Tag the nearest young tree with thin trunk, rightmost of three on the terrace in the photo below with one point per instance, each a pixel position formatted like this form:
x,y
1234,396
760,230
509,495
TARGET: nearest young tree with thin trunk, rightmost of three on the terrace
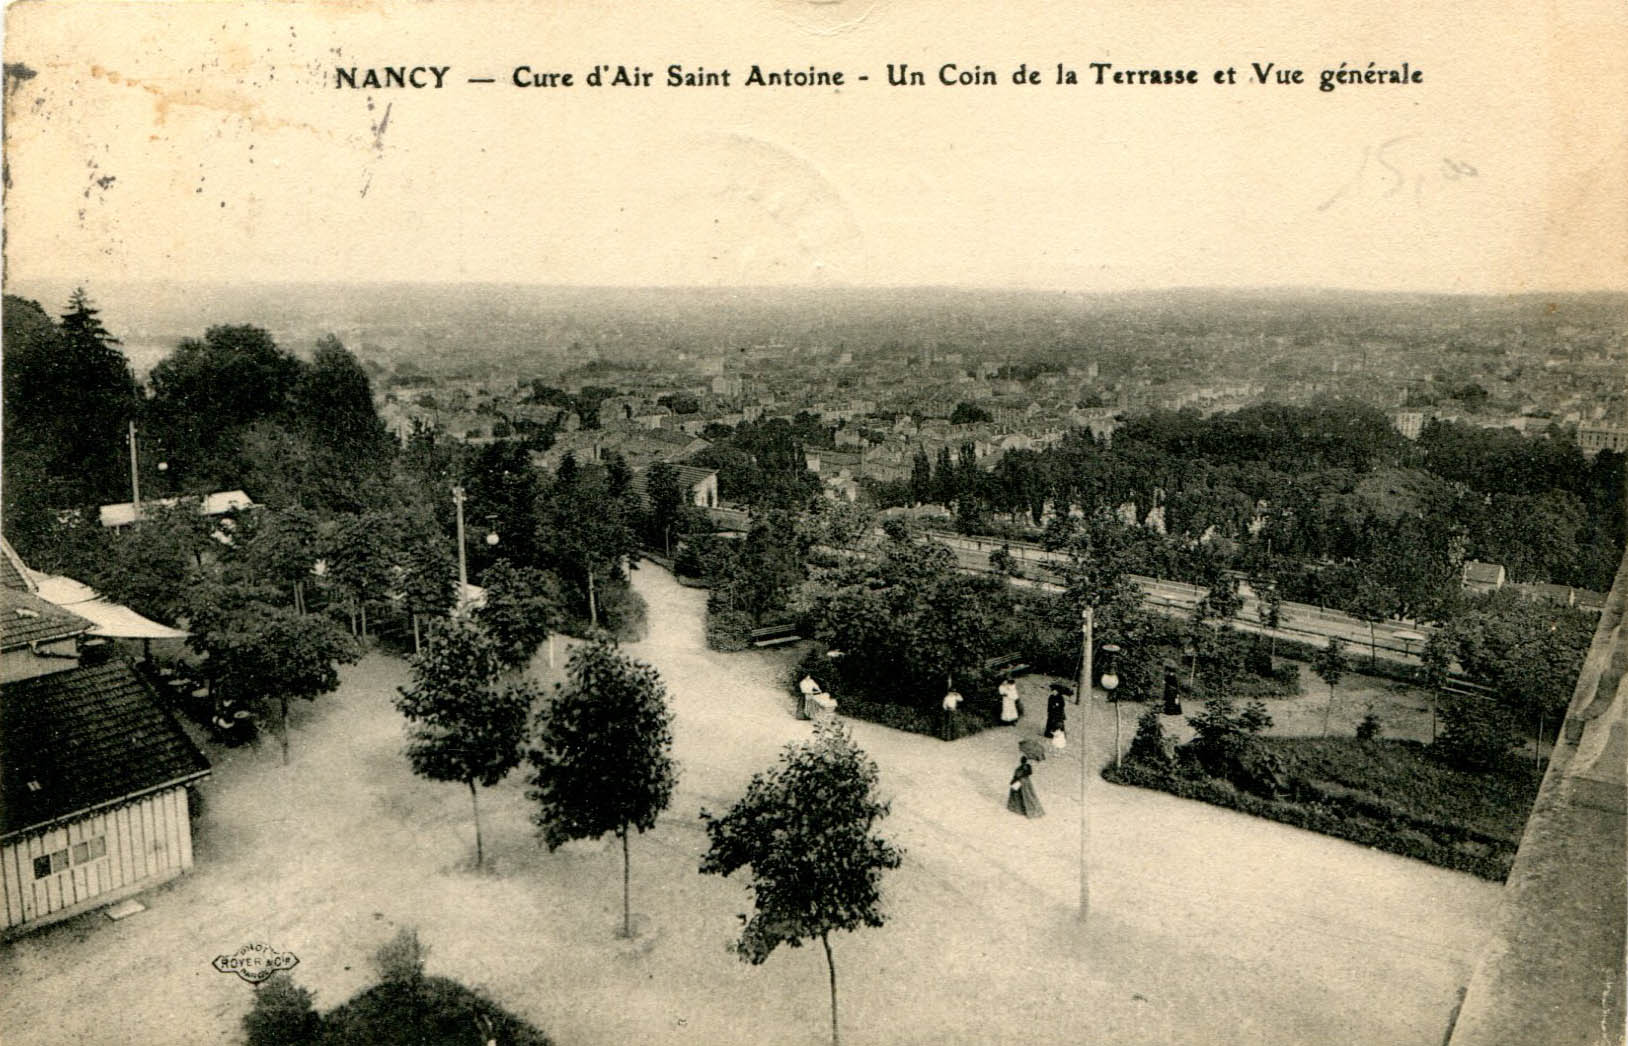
x,y
805,830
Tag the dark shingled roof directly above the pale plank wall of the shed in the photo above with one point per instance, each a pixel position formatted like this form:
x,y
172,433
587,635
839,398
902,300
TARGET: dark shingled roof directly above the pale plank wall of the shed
x,y
84,739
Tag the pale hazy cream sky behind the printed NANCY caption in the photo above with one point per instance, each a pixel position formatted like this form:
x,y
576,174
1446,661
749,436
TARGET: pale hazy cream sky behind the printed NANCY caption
x,y
209,142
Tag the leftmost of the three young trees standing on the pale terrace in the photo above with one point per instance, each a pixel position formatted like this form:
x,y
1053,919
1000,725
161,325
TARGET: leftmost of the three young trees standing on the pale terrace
x,y
465,723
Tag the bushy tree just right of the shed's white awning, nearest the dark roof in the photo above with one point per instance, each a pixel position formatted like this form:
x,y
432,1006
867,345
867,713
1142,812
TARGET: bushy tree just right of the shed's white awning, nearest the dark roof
x,y
260,652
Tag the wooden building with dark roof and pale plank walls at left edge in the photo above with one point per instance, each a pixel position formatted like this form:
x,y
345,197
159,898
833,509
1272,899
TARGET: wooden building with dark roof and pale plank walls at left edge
x,y
94,772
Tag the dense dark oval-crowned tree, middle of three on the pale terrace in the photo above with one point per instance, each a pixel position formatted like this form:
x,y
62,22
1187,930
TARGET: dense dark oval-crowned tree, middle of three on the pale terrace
x,y
603,759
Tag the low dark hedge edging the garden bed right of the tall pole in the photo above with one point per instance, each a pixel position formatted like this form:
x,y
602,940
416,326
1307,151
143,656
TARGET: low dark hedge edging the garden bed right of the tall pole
x,y
1326,819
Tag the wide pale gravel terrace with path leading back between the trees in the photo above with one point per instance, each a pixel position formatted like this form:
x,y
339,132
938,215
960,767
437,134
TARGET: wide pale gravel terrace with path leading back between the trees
x,y
1206,926
